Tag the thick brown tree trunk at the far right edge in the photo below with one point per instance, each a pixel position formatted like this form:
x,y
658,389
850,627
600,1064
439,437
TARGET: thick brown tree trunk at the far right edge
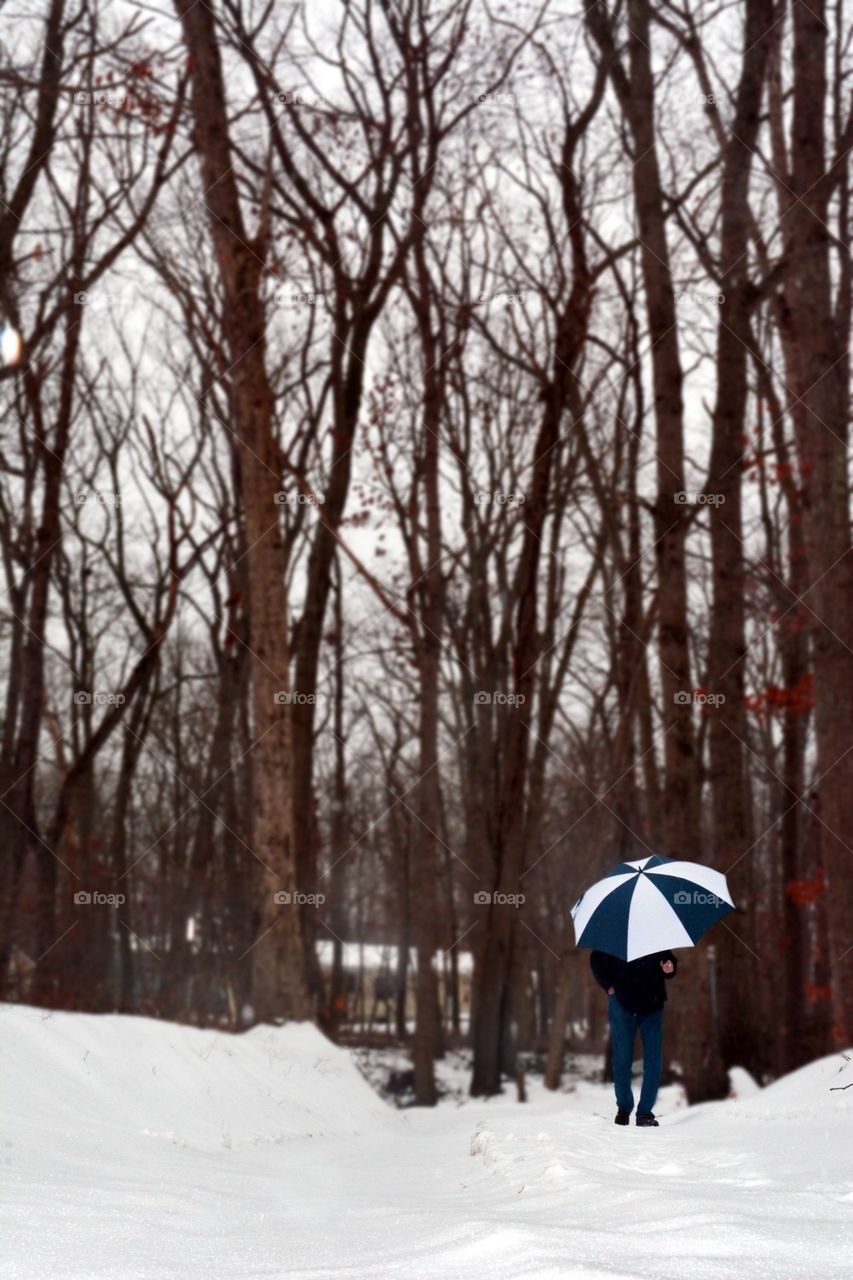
x,y
822,339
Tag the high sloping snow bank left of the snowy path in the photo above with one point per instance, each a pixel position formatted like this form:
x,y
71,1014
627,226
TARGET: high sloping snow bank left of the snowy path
x,y
89,1076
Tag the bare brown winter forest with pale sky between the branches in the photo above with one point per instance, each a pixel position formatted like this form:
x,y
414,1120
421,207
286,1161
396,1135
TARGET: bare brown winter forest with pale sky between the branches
x,y
425,486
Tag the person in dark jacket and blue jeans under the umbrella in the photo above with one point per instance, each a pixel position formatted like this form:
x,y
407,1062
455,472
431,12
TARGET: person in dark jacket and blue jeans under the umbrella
x,y
637,991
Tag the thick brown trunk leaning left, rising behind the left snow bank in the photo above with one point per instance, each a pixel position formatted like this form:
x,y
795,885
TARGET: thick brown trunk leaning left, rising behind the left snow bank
x,y
277,958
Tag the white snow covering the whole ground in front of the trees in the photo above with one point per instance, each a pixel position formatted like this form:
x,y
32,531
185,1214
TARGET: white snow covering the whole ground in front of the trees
x,y
135,1149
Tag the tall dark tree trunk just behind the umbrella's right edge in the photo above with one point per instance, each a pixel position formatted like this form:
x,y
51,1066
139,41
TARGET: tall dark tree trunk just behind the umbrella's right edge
x,y
732,826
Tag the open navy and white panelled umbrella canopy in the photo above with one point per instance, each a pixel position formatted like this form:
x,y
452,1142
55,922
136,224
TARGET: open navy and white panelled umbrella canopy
x,y
651,906
